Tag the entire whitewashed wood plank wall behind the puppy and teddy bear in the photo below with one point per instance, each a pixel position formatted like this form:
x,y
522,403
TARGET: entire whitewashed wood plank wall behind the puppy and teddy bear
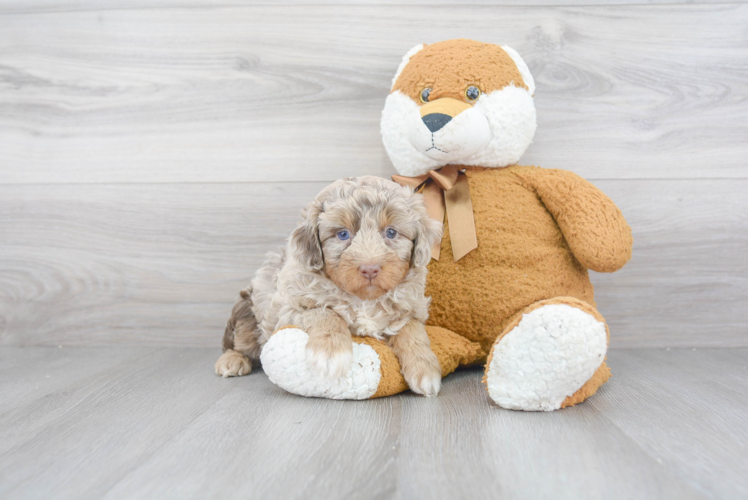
x,y
150,157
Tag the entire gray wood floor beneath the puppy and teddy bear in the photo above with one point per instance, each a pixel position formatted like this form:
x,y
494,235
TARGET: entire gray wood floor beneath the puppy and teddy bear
x,y
137,422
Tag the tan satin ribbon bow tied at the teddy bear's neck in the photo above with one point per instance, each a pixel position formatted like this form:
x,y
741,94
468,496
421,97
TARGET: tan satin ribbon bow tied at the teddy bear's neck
x,y
447,188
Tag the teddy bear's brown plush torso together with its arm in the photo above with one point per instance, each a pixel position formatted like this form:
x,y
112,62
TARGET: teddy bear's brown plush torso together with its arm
x,y
531,223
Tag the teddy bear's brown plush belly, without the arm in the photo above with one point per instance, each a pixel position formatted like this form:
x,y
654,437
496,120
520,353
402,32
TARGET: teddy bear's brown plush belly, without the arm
x,y
522,257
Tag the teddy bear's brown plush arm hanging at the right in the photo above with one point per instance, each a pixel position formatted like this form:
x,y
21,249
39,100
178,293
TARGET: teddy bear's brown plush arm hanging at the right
x,y
592,224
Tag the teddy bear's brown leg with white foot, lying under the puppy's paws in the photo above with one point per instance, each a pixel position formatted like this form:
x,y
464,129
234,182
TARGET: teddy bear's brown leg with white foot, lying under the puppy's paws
x,y
375,370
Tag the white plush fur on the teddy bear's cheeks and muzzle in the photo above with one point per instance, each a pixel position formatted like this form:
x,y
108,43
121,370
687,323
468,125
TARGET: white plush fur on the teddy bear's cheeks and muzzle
x,y
502,123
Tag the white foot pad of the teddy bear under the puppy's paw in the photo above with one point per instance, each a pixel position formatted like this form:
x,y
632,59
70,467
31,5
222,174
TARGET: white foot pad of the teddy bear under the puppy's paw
x,y
284,361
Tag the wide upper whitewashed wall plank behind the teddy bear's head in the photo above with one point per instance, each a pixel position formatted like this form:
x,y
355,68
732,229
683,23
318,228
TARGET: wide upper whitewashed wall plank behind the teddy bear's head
x,y
262,93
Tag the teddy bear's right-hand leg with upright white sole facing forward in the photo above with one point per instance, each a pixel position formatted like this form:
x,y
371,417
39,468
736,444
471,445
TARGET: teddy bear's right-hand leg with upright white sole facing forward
x,y
550,355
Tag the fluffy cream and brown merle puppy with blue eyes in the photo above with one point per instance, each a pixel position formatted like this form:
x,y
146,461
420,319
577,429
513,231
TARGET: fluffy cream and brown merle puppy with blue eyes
x,y
356,265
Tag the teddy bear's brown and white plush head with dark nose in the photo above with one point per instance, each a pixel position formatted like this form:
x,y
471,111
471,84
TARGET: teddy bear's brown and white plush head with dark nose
x,y
458,102
